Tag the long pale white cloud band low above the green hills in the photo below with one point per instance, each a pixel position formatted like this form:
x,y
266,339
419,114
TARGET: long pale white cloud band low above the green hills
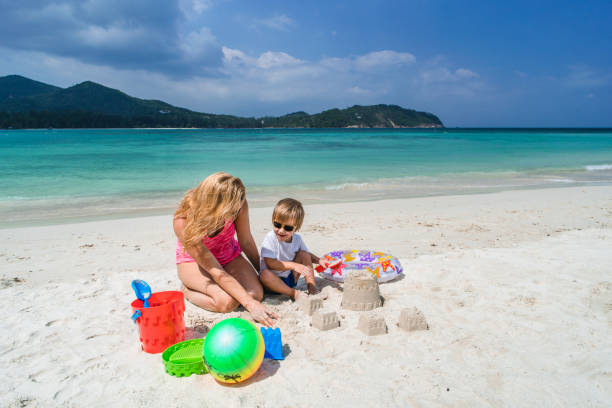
x,y
270,83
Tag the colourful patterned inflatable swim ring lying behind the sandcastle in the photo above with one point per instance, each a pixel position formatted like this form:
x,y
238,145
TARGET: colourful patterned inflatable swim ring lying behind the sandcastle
x,y
384,266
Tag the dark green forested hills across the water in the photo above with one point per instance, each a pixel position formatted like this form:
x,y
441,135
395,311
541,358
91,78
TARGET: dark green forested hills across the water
x,y
25,103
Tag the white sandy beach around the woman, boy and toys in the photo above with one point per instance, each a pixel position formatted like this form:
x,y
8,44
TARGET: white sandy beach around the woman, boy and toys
x,y
516,288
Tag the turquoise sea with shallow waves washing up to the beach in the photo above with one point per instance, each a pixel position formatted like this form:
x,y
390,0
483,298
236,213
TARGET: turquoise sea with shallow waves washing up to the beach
x,y
54,176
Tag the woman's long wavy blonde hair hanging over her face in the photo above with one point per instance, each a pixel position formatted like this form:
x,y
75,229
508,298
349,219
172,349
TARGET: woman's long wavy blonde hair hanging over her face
x,y
218,197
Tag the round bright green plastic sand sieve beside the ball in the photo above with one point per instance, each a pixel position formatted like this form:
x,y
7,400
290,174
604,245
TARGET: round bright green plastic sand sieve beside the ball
x,y
184,358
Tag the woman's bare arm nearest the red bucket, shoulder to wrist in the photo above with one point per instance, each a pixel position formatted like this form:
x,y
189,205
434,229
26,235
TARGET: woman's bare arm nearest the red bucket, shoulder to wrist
x,y
207,260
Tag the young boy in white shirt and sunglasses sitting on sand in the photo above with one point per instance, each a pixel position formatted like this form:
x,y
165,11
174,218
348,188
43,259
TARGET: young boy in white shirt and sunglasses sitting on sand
x,y
284,256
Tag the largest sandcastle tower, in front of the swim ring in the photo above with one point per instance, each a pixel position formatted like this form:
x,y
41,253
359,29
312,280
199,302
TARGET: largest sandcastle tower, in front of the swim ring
x,y
361,291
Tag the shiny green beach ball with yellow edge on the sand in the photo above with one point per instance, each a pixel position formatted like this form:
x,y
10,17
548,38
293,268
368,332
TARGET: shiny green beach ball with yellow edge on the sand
x,y
233,350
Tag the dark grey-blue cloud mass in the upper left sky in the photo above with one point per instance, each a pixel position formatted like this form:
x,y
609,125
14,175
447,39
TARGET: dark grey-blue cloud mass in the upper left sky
x,y
145,34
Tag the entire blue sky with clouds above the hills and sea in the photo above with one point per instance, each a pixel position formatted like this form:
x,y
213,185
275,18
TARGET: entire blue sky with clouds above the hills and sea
x,y
473,63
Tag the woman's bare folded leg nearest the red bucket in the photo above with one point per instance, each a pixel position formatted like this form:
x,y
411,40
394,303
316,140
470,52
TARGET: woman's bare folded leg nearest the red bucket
x,y
201,290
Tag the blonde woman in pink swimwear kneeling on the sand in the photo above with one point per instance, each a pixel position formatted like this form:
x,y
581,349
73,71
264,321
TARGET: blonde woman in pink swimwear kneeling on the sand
x,y
210,265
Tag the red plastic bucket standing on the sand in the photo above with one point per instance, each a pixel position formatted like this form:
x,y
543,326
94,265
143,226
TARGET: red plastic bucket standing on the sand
x,y
162,324
